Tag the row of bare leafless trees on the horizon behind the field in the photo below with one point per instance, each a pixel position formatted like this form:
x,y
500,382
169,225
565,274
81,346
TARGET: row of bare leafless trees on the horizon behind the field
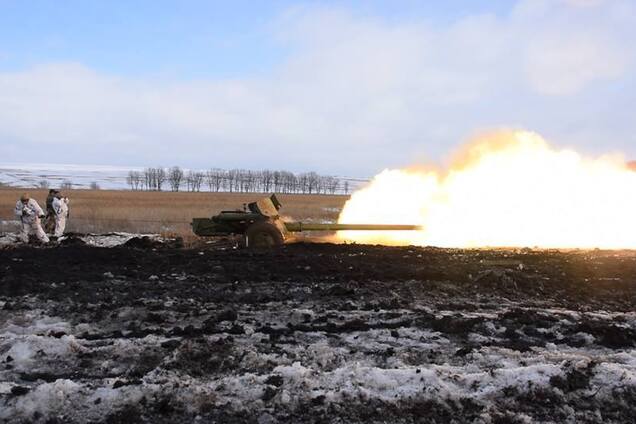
x,y
235,180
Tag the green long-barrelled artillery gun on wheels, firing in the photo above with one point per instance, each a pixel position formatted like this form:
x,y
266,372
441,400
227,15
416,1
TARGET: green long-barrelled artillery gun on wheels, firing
x,y
261,225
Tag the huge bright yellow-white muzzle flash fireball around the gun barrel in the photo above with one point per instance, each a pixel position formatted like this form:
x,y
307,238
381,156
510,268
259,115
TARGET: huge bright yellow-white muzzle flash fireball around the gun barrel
x,y
505,190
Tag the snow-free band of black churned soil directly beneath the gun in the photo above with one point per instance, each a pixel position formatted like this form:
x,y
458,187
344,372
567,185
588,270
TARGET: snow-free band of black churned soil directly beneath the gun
x,y
574,279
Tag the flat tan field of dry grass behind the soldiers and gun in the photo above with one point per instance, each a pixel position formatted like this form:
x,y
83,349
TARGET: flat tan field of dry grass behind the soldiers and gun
x,y
100,211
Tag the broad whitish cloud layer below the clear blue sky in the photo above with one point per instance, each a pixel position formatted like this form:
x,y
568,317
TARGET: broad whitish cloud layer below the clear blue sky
x,y
357,94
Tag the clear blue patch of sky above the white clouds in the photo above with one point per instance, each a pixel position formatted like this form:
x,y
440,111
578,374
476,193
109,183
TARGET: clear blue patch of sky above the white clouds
x,y
184,39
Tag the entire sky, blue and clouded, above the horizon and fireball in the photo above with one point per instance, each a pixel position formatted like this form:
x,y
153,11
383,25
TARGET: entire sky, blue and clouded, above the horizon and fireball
x,y
285,84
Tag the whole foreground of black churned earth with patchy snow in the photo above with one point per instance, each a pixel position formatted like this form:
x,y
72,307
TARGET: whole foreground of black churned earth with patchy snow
x,y
316,333
